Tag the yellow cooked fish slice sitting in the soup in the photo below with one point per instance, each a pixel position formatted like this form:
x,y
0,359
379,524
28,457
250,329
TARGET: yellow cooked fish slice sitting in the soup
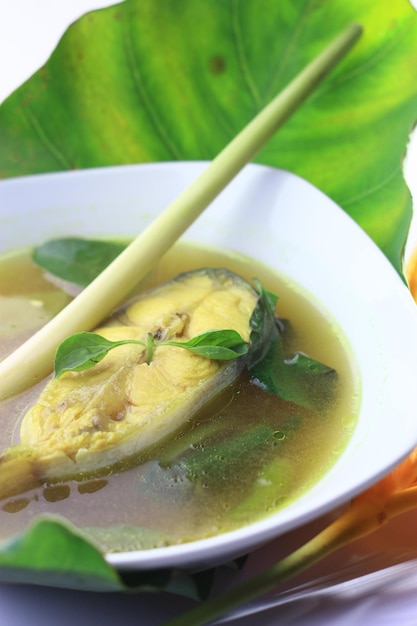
x,y
87,422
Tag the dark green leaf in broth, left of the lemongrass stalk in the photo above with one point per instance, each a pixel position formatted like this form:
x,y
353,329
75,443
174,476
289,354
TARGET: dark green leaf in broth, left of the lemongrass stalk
x,y
76,260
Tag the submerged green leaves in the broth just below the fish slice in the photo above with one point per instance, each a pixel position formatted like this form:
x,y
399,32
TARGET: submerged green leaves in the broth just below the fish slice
x,y
211,456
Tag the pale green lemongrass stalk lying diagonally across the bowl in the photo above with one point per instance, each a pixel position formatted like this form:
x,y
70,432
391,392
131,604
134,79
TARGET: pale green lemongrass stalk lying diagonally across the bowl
x,y
34,359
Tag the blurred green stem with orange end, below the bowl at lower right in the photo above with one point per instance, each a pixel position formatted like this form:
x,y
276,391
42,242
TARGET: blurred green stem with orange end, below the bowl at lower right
x,y
362,518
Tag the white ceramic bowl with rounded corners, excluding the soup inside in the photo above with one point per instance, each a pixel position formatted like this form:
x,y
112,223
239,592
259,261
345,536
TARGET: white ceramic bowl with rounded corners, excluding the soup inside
x,y
286,223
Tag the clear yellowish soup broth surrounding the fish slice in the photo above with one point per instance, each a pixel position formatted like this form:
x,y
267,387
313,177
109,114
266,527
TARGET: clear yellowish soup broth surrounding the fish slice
x,y
244,456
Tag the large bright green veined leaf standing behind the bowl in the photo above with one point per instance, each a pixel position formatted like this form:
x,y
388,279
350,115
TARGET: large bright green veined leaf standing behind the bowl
x,y
166,80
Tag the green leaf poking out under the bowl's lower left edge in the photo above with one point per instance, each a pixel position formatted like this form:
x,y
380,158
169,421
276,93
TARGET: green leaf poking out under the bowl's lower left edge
x,y
53,553
